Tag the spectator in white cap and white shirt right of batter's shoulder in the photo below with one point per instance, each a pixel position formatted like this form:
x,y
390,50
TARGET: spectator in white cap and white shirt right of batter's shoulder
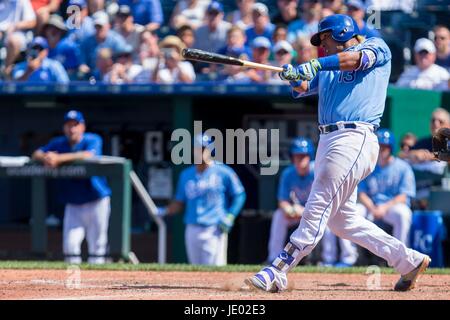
x,y
425,74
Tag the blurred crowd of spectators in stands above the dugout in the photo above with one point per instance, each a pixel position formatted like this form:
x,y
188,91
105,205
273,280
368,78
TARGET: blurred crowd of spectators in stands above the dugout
x,y
138,41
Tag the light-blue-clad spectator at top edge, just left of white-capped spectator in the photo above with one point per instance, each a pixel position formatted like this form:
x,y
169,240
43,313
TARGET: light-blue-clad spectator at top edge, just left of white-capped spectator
x,y
80,24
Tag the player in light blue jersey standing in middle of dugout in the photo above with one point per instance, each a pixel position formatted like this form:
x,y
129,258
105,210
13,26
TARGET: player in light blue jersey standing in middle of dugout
x,y
211,196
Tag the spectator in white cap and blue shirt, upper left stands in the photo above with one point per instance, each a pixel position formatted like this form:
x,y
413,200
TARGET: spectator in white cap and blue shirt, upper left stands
x,y
104,37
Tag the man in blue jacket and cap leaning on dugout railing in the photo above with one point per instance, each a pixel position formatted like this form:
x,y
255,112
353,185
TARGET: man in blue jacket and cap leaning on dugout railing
x,y
87,201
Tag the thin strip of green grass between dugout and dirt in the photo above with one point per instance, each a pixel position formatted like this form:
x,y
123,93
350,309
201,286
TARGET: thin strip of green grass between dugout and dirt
x,y
41,265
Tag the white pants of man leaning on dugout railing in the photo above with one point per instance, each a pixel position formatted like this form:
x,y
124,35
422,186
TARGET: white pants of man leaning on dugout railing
x,y
88,220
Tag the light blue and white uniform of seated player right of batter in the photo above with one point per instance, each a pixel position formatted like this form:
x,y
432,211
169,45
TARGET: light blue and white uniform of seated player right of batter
x,y
385,183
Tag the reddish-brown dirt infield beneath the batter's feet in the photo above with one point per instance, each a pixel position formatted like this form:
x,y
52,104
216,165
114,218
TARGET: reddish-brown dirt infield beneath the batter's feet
x,y
138,285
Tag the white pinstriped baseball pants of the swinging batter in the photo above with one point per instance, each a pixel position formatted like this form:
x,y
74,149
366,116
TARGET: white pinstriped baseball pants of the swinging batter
x,y
344,158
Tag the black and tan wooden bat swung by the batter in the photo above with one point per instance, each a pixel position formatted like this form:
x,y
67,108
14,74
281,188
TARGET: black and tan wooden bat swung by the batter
x,y
205,56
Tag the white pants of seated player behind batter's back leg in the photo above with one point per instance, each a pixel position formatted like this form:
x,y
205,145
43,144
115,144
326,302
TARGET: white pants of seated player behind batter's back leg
x,y
399,216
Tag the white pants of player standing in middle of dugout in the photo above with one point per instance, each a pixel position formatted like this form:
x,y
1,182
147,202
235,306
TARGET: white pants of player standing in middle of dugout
x,y
204,245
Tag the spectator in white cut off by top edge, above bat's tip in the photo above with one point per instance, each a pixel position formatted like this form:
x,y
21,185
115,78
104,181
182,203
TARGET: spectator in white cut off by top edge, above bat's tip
x,y
189,12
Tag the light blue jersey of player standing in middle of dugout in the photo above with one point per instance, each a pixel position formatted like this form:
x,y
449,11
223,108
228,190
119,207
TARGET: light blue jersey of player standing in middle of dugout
x,y
207,195
